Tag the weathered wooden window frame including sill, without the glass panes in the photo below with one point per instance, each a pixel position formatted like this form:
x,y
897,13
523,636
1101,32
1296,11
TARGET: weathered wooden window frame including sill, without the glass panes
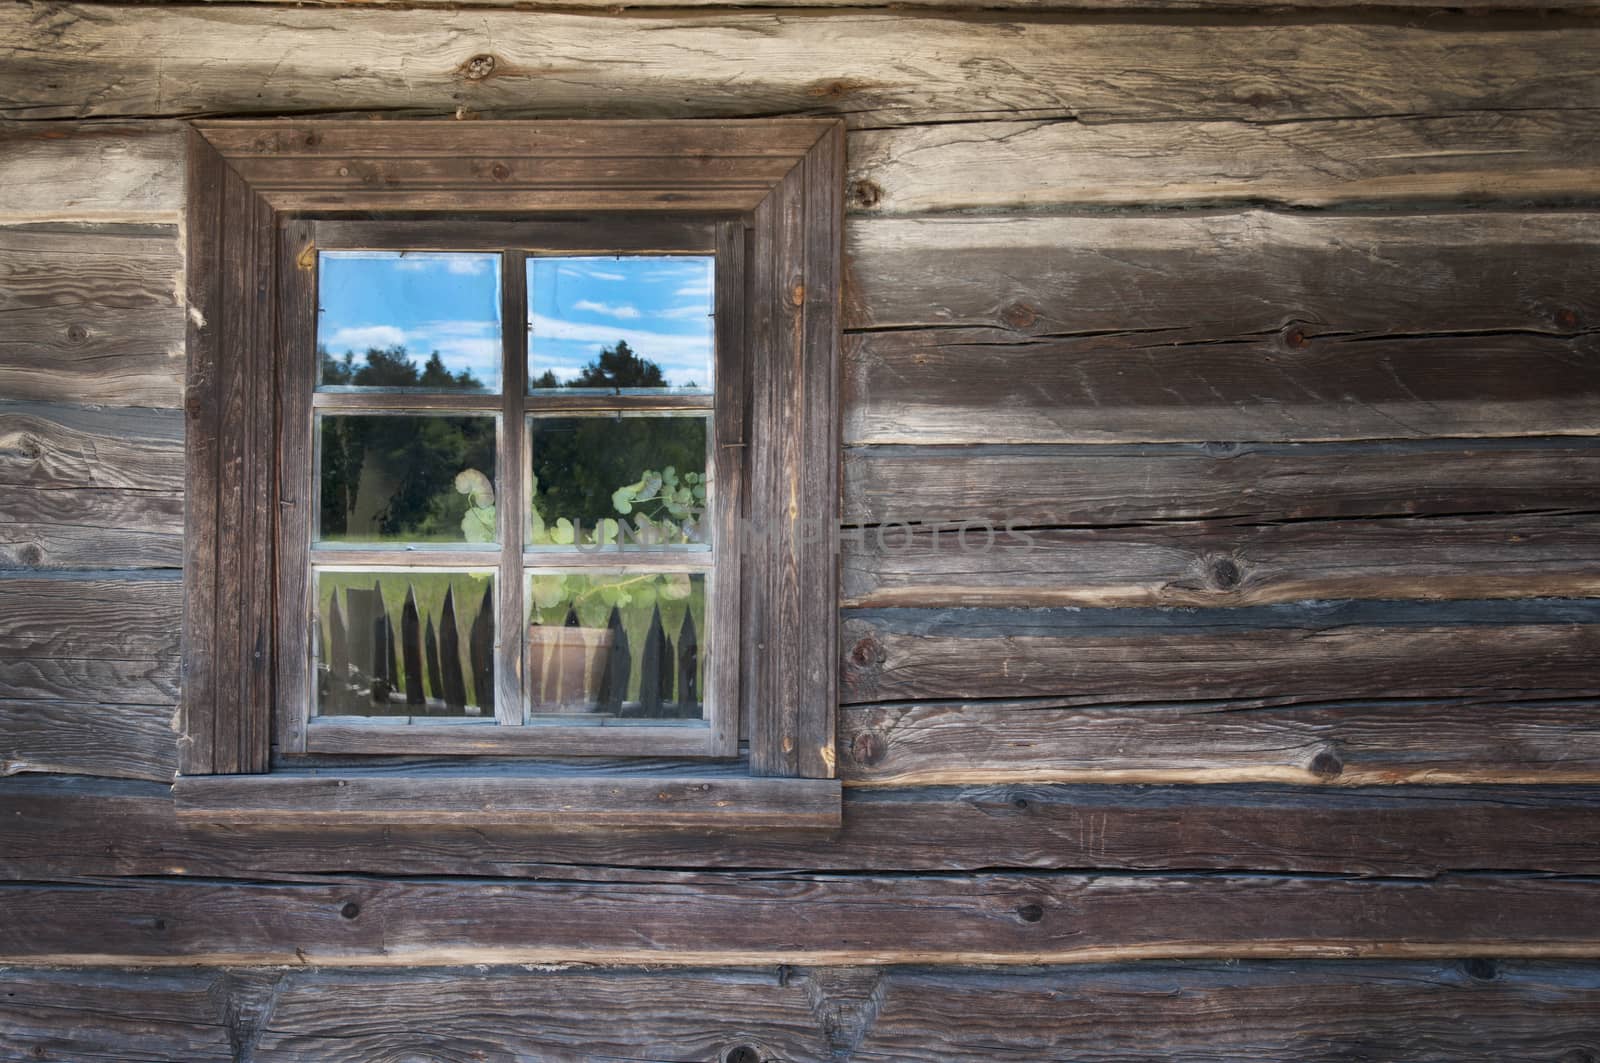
x,y
258,195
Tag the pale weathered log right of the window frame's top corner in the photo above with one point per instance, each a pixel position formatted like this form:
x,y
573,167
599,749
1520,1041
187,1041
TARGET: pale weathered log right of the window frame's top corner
x,y
1007,166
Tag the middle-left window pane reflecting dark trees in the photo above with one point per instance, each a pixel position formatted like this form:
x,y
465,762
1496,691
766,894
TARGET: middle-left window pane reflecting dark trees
x,y
404,478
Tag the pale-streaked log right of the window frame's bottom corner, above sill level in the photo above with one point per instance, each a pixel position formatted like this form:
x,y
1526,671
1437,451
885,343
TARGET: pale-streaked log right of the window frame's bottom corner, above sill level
x,y
1350,745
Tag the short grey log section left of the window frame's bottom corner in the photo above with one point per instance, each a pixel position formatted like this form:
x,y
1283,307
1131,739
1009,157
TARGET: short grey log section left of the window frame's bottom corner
x,y
54,734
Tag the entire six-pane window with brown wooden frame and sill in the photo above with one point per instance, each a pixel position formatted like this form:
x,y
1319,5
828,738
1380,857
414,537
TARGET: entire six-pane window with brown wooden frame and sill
x,y
513,443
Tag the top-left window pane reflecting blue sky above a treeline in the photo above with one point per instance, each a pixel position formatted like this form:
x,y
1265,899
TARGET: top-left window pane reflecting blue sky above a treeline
x,y
409,319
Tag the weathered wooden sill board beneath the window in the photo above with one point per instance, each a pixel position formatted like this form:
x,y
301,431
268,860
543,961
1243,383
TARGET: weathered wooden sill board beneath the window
x,y
558,803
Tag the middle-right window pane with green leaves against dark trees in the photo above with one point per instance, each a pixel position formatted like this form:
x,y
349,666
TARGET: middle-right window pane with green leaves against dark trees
x,y
618,483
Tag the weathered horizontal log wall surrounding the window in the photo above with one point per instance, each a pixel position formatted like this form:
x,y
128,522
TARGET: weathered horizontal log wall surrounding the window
x,y
1222,566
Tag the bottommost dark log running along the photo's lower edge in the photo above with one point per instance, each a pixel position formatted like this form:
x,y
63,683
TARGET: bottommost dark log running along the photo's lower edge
x,y
1262,1011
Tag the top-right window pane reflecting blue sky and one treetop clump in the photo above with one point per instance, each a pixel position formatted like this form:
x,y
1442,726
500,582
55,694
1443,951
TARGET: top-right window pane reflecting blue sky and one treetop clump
x,y
638,323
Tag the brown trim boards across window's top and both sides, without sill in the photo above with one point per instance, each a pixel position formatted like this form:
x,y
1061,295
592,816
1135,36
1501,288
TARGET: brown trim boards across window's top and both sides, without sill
x,y
249,183
